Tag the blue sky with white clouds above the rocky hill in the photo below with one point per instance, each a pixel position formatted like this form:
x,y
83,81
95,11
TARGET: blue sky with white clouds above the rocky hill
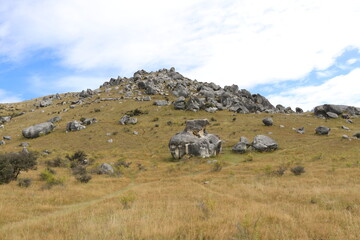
x,y
298,53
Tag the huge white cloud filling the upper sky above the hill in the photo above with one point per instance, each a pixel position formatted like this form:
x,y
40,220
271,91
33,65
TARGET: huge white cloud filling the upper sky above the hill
x,y
243,42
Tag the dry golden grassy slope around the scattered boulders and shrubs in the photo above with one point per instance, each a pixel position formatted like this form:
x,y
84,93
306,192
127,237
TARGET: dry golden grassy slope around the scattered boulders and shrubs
x,y
242,201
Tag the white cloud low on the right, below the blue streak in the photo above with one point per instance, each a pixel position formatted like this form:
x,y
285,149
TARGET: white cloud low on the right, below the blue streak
x,y
342,89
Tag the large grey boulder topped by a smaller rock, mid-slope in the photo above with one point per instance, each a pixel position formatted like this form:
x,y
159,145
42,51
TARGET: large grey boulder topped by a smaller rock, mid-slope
x,y
195,141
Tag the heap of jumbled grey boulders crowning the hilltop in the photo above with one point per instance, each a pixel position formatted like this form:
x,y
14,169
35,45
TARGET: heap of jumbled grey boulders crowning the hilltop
x,y
192,95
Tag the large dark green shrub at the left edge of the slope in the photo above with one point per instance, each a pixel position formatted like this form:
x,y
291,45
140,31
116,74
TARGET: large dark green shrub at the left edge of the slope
x,y
11,164
